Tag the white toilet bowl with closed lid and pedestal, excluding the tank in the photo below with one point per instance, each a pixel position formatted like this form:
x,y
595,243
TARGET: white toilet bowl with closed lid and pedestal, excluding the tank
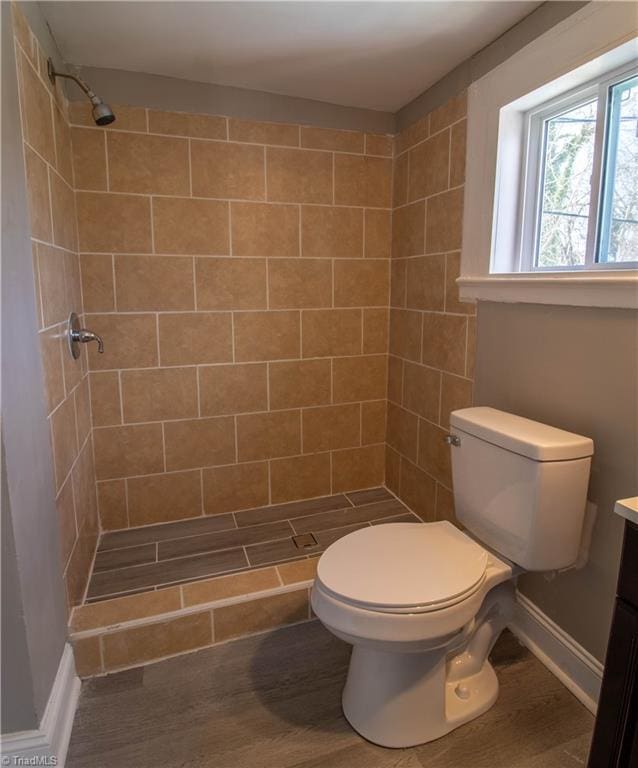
x,y
422,606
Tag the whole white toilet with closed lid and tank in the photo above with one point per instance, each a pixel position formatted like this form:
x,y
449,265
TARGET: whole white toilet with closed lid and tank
x,y
423,604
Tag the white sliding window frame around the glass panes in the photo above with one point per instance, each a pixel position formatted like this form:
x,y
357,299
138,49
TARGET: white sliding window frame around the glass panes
x,y
532,176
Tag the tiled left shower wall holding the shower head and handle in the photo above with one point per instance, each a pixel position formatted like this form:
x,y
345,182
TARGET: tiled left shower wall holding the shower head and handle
x,y
49,175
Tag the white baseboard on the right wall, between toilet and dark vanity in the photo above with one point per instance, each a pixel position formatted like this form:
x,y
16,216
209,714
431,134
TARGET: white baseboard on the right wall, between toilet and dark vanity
x,y
576,668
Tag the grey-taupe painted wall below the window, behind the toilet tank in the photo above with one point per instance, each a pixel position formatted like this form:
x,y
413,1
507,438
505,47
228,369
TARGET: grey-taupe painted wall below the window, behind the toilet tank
x,y
574,368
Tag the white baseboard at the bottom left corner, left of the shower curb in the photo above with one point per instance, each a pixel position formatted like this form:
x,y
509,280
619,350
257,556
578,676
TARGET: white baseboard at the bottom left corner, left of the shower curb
x,y
51,739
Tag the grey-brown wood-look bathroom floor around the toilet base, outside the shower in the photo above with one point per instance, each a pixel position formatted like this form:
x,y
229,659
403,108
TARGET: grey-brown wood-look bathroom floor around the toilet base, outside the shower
x,y
274,701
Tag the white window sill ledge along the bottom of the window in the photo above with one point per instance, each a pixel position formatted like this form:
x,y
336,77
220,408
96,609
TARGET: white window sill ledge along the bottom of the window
x,y
565,288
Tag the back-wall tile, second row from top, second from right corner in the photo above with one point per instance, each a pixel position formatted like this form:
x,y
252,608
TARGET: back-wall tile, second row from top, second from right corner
x,y
299,176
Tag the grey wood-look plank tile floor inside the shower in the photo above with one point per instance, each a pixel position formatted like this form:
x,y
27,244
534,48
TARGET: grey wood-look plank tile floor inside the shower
x,y
155,556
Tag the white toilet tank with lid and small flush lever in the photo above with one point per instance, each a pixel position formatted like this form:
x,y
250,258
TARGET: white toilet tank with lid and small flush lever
x,y
520,486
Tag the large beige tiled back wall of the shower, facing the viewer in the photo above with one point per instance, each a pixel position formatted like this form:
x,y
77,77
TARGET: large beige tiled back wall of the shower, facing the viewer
x,y
239,274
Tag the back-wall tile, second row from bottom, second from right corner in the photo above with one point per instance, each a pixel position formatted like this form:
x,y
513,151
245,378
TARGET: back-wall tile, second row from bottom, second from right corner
x,y
334,426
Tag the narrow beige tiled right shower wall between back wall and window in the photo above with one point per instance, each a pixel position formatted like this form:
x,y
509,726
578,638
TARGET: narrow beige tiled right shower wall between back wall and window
x,y
431,333
